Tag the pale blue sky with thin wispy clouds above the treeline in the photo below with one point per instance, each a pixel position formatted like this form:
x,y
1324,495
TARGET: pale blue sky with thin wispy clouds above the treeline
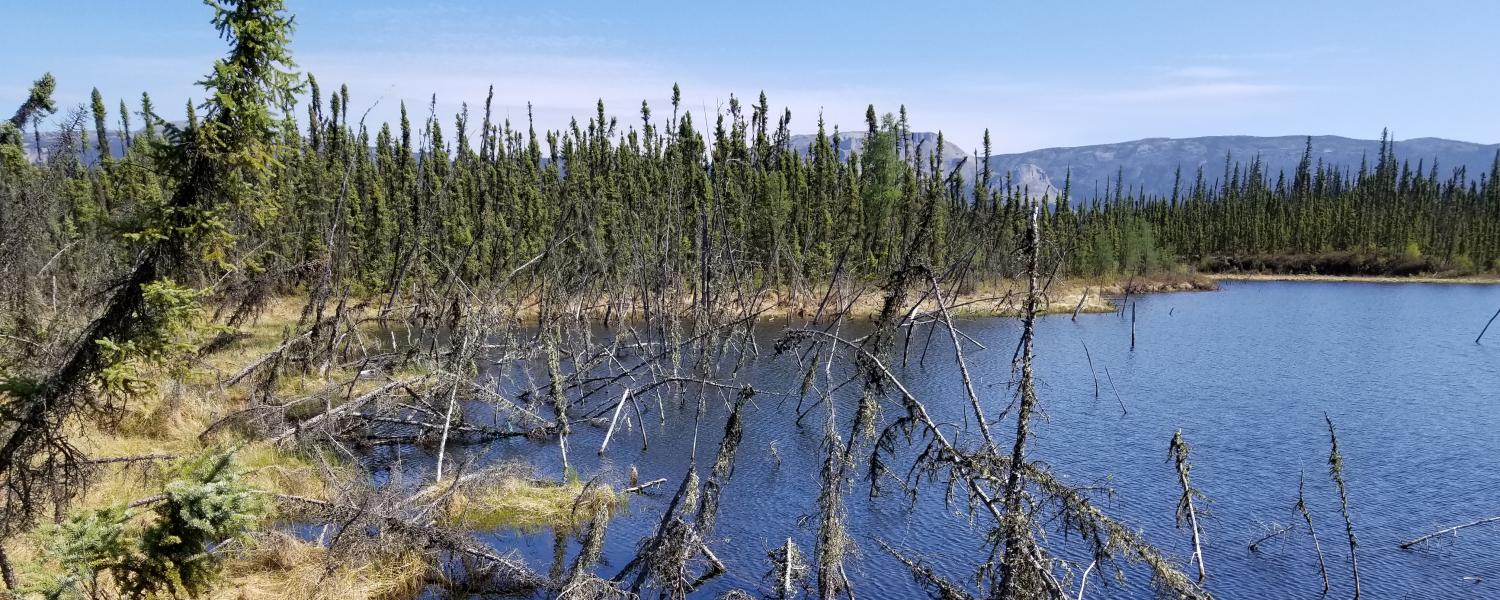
x,y
1037,74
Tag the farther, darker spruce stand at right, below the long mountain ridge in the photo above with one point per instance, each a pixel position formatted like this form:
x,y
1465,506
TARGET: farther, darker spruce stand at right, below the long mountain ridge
x,y
1390,218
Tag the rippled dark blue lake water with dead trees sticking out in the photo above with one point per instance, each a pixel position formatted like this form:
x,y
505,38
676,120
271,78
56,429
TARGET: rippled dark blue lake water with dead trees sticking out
x,y
1247,374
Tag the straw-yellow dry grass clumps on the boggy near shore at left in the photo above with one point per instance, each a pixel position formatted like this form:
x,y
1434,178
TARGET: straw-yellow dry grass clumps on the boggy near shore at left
x,y
188,413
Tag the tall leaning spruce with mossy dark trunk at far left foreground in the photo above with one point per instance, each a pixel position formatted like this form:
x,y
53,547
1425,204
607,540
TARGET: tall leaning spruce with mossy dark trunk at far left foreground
x,y
221,167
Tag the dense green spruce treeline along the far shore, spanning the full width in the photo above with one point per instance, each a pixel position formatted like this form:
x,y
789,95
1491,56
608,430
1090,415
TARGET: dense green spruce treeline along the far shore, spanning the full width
x,y
634,203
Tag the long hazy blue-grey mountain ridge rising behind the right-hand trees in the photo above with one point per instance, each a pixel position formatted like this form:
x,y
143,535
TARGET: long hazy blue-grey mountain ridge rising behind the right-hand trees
x,y
1151,164
